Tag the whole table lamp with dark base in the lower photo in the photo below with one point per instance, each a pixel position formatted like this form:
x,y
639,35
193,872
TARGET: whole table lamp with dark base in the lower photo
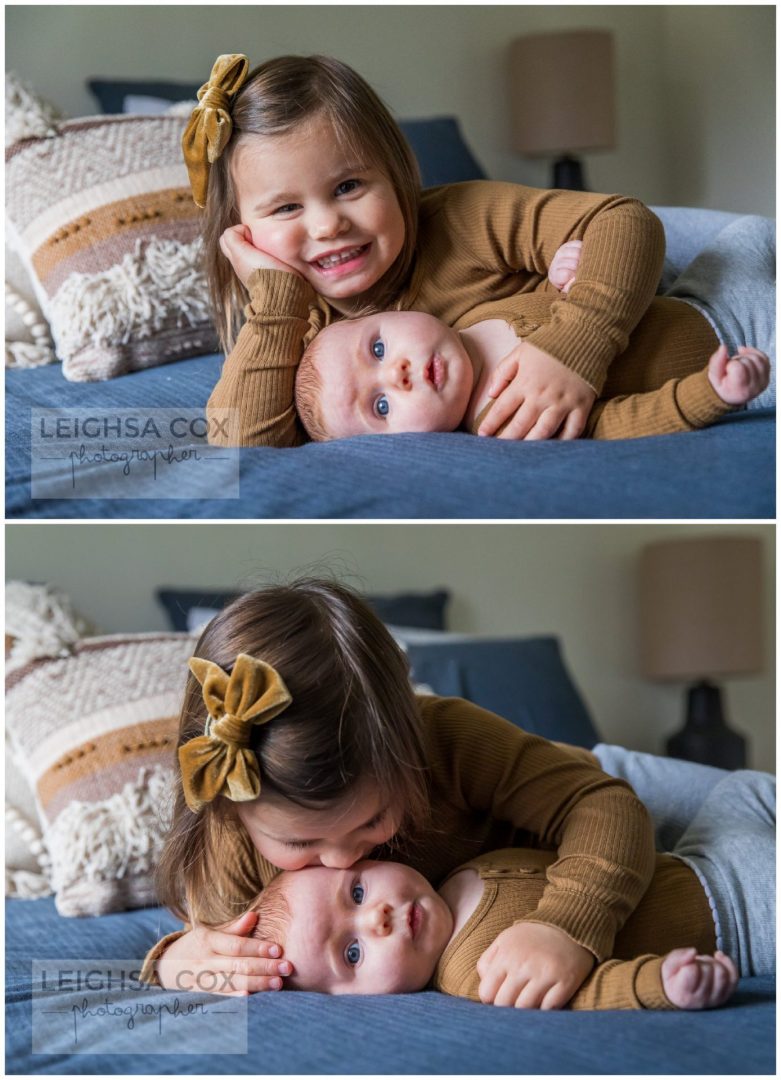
x,y
701,620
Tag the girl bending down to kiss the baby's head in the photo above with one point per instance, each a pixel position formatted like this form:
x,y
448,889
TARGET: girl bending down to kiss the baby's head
x,y
302,744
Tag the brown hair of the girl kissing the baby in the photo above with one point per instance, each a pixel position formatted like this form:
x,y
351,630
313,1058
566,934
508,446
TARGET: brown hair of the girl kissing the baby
x,y
354,718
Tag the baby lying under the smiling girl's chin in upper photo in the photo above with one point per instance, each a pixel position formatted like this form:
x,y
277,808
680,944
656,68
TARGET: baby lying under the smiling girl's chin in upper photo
x,y
409,372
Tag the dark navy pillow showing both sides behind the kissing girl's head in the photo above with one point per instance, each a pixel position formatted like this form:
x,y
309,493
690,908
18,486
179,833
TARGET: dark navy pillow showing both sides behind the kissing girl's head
x,y
422,611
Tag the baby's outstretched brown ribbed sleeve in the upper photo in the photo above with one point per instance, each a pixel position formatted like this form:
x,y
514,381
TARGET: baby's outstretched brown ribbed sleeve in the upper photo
x,y
680,406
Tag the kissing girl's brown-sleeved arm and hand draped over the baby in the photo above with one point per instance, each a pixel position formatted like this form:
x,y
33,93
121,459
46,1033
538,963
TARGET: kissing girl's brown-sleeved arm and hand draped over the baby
x,y
601,831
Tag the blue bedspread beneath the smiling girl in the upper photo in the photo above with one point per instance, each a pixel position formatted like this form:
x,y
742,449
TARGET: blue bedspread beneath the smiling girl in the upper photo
x,y
725,472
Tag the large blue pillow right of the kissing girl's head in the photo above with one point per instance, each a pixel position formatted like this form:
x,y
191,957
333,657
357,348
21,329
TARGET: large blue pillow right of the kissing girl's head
x,y
523,680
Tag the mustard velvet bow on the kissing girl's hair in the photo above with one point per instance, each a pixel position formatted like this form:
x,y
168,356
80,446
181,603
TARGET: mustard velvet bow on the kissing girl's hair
x,y
221,762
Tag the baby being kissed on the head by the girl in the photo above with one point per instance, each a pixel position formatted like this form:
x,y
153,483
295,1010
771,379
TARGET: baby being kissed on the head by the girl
x,y
381,928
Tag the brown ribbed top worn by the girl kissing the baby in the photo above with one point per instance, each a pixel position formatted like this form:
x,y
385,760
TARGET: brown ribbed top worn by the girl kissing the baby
x,y
493,786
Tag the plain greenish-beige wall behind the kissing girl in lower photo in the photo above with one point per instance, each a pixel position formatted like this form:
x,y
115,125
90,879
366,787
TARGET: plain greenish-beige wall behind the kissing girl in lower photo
x,y
576,582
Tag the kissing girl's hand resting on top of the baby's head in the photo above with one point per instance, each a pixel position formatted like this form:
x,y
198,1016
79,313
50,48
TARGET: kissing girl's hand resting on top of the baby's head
x,y
223,962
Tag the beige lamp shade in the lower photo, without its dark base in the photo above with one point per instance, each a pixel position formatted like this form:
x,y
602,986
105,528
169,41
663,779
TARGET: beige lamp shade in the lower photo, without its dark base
x,y
701,609
